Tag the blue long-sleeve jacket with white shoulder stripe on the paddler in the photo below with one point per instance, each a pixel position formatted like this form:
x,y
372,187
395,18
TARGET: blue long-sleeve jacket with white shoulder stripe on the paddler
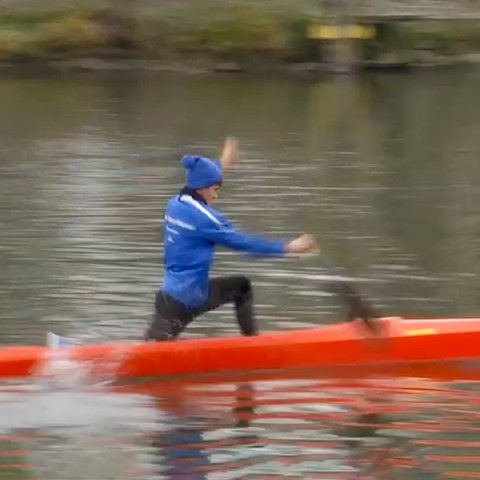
x,y
191,231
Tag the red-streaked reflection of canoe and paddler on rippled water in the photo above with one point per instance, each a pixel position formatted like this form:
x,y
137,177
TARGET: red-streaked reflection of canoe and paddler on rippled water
x,y
314,428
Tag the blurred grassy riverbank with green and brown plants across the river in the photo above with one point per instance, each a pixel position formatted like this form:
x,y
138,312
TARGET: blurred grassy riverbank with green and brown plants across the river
x,y
212,34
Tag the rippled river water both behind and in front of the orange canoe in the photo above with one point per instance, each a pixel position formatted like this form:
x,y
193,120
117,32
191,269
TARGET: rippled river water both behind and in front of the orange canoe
x,y
383,170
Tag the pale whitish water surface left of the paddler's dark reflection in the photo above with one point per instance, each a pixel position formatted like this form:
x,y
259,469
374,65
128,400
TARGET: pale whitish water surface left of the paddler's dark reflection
x,y
65,434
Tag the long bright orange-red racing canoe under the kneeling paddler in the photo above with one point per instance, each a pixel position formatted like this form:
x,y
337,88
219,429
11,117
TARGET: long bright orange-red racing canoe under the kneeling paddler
x,y
402,340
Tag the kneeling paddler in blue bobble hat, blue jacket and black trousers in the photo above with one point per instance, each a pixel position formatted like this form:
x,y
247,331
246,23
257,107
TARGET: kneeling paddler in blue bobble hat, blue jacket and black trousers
x,y
192,229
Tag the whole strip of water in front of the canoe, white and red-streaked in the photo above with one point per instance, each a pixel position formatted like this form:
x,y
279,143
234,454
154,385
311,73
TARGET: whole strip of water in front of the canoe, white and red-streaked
x,y
273,425
